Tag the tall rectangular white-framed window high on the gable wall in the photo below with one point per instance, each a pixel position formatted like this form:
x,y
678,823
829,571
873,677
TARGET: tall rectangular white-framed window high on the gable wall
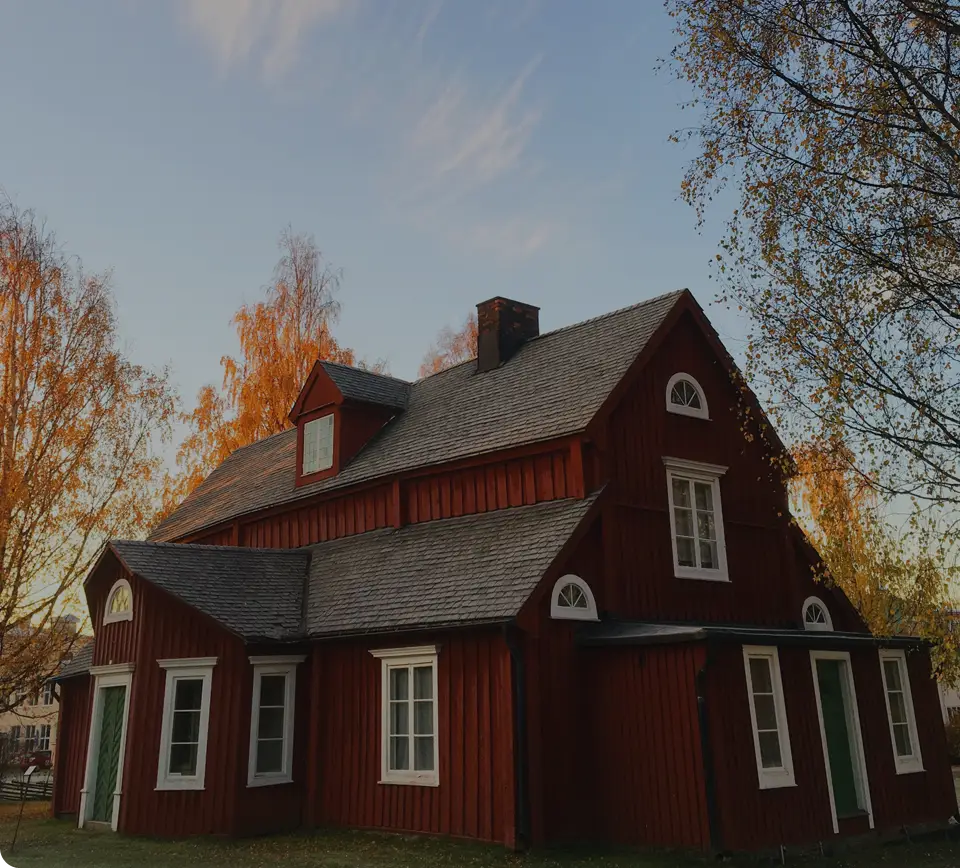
x,y
696,519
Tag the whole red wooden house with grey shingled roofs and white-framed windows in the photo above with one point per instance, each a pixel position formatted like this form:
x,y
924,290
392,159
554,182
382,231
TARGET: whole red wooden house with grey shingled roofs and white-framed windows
x,y
550,595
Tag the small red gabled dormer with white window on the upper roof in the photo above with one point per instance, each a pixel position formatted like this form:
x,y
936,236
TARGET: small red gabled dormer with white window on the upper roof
x,y
339,409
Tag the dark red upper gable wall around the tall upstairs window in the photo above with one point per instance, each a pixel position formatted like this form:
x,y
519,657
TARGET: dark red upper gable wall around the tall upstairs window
x,y
768,582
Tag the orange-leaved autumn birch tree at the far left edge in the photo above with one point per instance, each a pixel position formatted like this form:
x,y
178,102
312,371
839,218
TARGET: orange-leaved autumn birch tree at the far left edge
x,y
78,423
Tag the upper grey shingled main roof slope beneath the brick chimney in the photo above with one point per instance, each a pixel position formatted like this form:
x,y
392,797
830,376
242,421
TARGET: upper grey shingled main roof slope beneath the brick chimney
x,y
552,387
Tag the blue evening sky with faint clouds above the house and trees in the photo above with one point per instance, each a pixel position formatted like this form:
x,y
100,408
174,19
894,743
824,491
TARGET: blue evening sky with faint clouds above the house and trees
x,y
440,153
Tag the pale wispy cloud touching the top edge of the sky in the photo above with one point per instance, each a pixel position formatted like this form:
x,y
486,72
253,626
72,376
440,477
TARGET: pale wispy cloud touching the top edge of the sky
x,y
270,34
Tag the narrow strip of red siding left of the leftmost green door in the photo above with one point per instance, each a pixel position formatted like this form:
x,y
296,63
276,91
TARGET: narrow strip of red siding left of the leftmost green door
x,y
73,727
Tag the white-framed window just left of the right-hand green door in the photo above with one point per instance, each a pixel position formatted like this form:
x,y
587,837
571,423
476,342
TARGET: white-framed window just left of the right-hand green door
x,y
768,714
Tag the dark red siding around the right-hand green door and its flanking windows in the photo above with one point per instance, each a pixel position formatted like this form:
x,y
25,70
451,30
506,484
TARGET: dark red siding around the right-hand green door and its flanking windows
x,y
751,818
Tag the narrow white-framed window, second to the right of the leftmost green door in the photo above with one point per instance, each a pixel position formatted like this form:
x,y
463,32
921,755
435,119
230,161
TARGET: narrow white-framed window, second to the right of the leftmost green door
x,y
272,718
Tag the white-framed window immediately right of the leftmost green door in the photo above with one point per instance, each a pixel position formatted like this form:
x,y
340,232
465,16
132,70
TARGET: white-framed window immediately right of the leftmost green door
x,y
186,719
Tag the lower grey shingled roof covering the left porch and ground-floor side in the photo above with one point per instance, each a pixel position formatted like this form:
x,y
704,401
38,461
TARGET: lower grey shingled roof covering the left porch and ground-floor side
x,y
474,569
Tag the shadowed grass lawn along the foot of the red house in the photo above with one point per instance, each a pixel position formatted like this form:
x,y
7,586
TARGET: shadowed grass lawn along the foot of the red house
x,y
57,844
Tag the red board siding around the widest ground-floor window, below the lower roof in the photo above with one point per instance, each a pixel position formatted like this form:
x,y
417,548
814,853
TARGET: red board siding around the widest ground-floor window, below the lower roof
x,y
475,797
